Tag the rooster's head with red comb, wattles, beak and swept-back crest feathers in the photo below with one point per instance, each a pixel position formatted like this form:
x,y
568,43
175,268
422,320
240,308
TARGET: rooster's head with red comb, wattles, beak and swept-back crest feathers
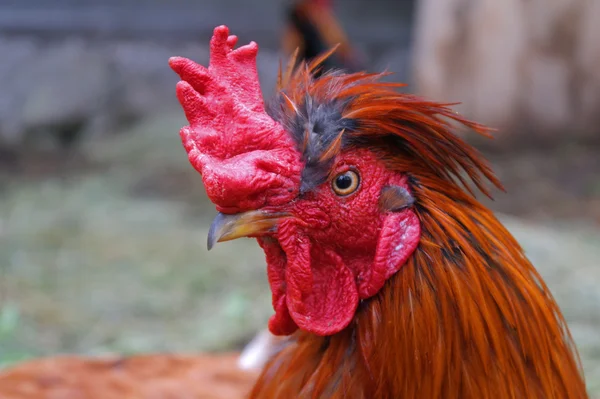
x,y
322,179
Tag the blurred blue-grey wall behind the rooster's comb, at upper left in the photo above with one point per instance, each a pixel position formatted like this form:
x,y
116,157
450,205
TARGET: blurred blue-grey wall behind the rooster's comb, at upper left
x,y
94,64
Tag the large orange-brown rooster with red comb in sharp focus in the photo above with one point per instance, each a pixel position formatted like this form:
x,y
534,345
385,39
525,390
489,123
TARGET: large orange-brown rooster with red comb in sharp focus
x,y
389,279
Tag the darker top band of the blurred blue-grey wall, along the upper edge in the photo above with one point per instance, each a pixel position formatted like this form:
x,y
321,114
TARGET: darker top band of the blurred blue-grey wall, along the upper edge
x,y
371,22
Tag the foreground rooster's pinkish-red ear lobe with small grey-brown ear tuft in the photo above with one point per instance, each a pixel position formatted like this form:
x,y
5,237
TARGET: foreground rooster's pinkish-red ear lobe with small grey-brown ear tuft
x,y
398,239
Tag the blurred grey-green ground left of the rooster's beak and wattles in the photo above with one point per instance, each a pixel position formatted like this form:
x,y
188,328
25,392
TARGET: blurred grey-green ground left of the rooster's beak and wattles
x,y
98,247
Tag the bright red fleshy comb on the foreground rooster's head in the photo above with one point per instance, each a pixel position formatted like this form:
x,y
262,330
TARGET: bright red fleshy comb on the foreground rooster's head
x,y
246,158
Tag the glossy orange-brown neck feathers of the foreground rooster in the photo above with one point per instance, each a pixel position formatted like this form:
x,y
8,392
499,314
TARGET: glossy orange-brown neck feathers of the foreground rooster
x,y
467,317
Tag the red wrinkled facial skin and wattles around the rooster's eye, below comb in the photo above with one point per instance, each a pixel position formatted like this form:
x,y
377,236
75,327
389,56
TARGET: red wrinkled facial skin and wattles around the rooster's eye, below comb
x,y
336,250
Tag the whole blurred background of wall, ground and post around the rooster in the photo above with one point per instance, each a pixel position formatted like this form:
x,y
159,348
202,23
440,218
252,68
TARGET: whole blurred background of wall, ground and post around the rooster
x,y
103,223
